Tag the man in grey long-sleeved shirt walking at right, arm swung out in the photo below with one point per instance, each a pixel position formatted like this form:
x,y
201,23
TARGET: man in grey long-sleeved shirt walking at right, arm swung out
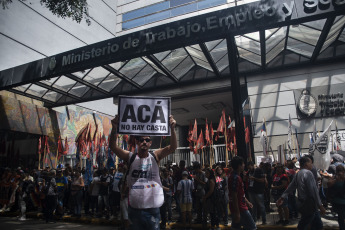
x,y
308,196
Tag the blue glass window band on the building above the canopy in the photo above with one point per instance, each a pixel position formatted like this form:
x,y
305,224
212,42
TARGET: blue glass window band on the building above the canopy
x,y
164,10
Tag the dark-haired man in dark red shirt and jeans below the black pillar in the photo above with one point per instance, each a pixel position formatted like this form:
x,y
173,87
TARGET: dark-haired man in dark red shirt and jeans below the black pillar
x,y
238,202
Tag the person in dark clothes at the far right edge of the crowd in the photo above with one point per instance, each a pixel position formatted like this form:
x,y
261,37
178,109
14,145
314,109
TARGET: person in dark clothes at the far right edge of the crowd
x,y
337,185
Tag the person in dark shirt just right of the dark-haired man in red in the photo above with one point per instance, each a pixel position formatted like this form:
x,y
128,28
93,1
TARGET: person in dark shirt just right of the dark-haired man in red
x,y
256,188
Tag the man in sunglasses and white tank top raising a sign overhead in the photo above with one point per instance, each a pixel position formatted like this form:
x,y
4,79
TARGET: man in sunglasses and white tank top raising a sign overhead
x,y
145,188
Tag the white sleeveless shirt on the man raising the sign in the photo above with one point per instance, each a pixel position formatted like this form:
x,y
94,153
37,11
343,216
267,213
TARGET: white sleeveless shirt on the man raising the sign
x,y
145,187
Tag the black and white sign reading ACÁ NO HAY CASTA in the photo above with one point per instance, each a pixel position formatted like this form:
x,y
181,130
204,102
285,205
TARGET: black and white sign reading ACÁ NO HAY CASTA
x,y
144,115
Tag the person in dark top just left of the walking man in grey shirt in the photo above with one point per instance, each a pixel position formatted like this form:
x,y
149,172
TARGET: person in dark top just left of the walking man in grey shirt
x,y
280,183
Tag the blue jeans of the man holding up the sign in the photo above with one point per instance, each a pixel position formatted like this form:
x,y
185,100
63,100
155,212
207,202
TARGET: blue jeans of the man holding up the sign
x,y
144,219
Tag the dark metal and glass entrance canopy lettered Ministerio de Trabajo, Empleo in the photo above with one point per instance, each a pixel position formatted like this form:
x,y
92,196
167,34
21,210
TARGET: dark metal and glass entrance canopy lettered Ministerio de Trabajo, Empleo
x,y
185,52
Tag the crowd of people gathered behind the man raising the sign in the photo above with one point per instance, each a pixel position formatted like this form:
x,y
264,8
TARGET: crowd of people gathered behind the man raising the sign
x,y
194,194
